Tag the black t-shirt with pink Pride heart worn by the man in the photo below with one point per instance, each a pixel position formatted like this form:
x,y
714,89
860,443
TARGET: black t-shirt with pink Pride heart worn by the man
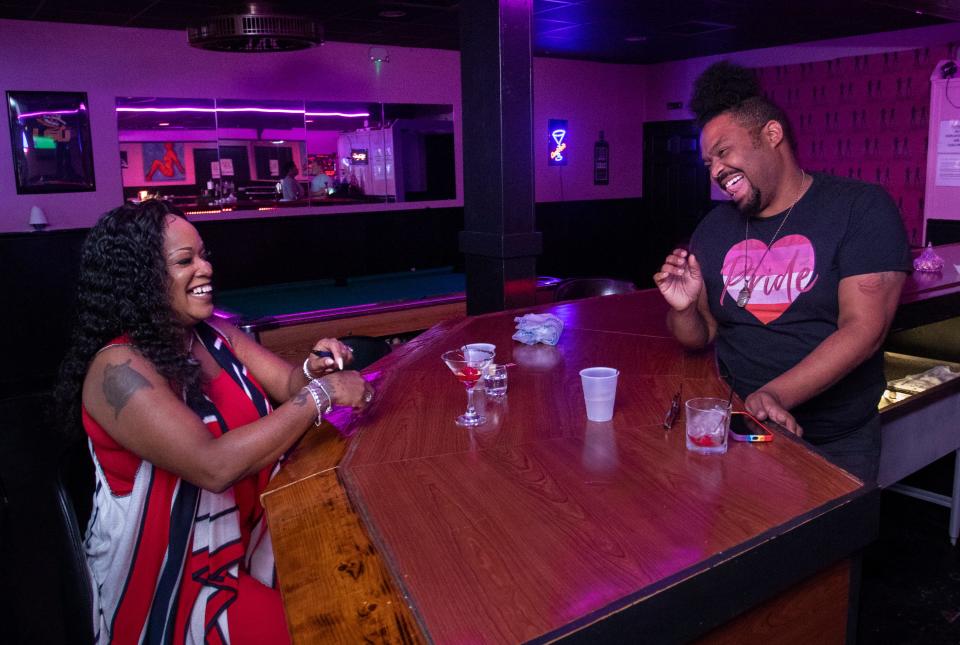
x,y
839,228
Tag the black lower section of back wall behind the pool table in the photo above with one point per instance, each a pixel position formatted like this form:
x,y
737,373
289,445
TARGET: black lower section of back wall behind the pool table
x,y
590,238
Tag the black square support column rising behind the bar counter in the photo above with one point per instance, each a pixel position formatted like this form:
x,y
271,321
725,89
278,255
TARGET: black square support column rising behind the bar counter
x,y
496,69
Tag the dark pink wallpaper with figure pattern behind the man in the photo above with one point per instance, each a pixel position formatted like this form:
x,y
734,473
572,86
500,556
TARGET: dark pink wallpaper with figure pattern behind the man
x,y
864,117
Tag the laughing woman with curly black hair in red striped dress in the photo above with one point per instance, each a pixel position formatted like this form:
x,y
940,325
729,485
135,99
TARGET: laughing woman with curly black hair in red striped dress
x,y
177,410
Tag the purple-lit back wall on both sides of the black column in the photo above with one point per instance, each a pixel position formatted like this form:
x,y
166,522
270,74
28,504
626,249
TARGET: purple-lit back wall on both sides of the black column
x,y
53,56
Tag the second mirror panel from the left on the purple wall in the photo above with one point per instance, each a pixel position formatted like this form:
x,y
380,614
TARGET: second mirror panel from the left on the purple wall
x,y
262,154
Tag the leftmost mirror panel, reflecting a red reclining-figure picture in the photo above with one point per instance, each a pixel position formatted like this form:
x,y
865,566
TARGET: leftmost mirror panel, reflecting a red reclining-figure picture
x,y
164,144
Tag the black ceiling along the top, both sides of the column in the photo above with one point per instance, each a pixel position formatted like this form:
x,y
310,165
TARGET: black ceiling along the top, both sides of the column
x,y
604,30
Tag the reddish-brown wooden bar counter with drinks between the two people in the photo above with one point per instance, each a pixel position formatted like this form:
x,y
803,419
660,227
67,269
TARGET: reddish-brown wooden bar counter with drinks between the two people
x,y
542,526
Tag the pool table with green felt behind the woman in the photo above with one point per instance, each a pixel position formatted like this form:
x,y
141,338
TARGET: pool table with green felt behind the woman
x,y
288,318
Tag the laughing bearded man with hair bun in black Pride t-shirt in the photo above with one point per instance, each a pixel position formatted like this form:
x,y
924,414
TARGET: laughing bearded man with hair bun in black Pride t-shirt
x,y
796,277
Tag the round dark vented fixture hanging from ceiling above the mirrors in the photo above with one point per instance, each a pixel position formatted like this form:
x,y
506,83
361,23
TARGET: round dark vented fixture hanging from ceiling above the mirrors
x,y
259,30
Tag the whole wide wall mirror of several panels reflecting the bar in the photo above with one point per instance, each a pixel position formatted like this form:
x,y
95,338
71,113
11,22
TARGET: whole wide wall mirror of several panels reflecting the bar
x,y
212,155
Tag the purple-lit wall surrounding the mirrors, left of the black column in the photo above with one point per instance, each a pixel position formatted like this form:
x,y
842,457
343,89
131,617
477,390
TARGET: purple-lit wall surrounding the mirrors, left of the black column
x,y
108,62
